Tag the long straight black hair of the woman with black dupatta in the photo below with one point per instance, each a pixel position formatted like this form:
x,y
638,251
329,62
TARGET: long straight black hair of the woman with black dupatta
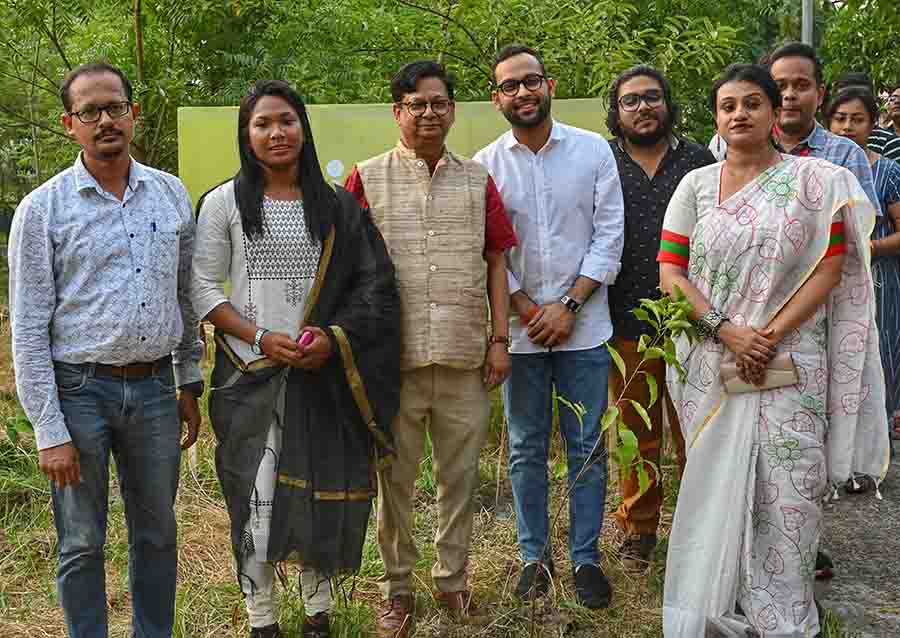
x,y
319,199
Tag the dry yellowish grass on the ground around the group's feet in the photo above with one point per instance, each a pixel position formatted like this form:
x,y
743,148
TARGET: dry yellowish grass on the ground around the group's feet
x,y
209,602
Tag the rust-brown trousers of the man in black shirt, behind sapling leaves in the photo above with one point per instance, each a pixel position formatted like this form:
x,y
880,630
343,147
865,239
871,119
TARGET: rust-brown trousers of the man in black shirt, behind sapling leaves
x,y
639,513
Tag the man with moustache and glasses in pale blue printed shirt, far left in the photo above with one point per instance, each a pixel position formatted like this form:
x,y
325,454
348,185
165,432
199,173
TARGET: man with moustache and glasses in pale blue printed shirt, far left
x,y
103,333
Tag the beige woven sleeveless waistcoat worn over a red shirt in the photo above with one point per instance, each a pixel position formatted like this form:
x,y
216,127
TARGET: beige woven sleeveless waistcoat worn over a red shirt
x,y
434,230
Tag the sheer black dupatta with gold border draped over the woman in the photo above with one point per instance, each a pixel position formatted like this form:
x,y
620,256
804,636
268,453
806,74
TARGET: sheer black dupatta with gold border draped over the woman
x,y
335,421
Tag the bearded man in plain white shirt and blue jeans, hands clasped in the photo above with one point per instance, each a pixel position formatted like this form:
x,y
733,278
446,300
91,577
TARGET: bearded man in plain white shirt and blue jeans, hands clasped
x,y
562,192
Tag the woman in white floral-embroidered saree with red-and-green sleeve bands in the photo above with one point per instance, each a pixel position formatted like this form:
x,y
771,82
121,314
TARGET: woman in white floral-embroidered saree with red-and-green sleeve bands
x,y
773,253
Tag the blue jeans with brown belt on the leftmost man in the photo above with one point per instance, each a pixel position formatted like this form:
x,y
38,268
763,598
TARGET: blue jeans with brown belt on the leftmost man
x,y
136,420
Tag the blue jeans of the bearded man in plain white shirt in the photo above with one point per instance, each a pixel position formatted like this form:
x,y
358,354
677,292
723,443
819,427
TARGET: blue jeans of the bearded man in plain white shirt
x,y
579,376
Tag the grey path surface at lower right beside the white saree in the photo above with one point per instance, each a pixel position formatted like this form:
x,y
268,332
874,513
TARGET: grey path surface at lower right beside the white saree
x,y
862,534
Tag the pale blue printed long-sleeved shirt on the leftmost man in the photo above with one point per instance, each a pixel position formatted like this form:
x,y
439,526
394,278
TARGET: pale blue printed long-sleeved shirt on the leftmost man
x,y
95,279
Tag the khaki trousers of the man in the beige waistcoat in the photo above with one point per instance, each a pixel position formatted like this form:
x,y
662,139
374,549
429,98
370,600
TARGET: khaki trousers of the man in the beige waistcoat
x,y
455,407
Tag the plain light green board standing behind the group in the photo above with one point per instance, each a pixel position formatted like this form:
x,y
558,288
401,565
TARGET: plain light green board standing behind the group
x,y
346,134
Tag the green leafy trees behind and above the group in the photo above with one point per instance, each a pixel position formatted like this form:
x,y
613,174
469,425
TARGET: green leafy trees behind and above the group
x,y
206,52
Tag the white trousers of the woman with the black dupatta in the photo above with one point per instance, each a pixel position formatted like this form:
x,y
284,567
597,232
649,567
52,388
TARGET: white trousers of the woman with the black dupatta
x,y
258,575
